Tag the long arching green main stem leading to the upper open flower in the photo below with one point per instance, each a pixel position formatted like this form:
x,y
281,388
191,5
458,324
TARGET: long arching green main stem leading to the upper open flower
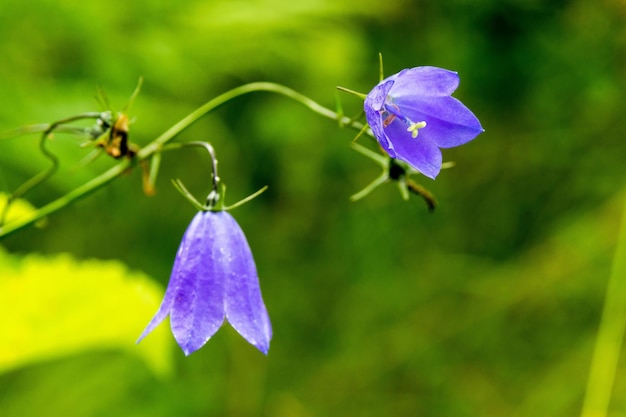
x,y
156,145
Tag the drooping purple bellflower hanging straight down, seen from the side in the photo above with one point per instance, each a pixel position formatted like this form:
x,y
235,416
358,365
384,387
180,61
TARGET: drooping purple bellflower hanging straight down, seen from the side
x,y
214,278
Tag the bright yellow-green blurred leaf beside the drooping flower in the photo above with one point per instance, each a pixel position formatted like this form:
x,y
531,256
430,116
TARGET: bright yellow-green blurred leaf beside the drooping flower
x,y
55,306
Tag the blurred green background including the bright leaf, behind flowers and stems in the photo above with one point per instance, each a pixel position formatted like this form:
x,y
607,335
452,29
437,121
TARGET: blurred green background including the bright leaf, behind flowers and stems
x,y
488,307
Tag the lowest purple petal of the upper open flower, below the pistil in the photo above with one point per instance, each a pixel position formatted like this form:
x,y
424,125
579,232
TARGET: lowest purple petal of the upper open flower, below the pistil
x,y
421,153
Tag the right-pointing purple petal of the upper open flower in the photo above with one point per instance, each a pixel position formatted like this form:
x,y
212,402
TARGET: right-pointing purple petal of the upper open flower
x,y
448,122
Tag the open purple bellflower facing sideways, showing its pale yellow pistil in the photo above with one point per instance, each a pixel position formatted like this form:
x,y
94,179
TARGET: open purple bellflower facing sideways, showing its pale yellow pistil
x,y
413,115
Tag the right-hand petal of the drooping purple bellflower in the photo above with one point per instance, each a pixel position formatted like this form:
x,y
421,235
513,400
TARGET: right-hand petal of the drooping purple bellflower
x,y
244,306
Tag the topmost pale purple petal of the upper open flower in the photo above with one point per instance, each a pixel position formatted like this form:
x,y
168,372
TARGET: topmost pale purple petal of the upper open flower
x,y
424,82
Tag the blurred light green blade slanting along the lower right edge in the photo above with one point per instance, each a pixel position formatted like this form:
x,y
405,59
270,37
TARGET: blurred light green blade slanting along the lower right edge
x,y
610,335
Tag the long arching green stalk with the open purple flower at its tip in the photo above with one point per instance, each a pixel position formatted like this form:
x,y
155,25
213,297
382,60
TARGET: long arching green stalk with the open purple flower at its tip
x,y
411,114
